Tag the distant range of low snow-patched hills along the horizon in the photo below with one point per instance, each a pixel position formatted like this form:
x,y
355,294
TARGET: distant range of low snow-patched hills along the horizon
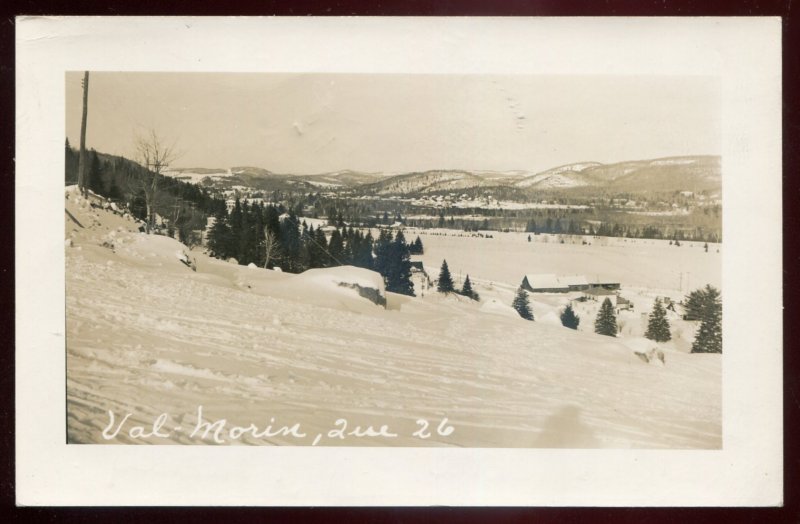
x,y
687,173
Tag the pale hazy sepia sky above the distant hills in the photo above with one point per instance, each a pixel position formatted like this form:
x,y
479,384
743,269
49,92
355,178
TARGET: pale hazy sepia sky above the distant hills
x,y
317,123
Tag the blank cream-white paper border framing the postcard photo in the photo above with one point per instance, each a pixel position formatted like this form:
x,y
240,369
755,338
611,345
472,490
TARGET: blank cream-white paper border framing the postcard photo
x,y
744,53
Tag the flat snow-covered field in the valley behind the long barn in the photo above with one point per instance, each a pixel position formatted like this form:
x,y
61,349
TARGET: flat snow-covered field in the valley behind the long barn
x,y
507,257
